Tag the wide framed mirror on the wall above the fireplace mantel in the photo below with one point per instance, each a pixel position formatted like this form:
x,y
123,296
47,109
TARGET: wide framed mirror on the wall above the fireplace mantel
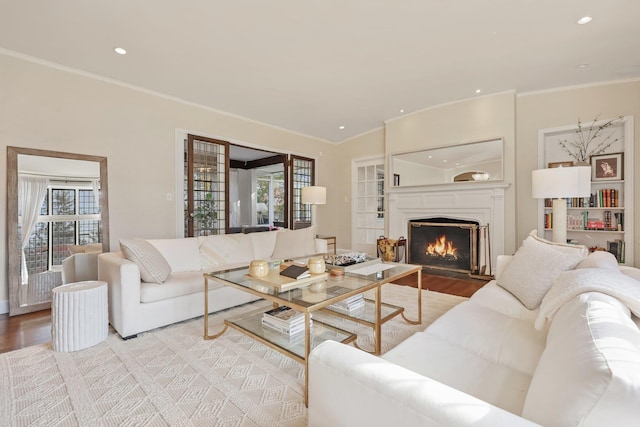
x,y
480,161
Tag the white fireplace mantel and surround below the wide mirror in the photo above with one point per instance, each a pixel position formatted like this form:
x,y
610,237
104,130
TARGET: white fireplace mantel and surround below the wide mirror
x,y
477,201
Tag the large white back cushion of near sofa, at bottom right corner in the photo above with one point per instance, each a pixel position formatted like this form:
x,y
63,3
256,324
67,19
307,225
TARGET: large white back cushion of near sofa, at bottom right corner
x,y
589,373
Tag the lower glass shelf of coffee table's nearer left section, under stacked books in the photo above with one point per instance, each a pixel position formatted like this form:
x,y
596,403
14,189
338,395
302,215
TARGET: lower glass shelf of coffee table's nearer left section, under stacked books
x,y
251,325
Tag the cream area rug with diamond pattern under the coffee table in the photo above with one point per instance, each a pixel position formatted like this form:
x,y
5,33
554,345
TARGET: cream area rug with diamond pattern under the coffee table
x,y
173,377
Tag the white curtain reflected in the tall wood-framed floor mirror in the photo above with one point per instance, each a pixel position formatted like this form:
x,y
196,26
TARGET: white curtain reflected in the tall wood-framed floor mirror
x,y
31,194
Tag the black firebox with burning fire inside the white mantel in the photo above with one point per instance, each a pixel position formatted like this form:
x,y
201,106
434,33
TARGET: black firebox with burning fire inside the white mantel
x,y
445,243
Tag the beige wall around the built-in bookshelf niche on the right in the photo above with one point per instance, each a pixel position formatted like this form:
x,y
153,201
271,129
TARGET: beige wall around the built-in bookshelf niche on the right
x,y
560,108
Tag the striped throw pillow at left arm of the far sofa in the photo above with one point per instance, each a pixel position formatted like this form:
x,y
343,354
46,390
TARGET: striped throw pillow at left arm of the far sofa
x,y
153,266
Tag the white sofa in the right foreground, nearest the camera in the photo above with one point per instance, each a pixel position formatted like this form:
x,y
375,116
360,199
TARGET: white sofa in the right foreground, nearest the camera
x,y
486,363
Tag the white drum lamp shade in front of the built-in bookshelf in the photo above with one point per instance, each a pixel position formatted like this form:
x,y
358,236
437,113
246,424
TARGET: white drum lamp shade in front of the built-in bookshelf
x,y
561,182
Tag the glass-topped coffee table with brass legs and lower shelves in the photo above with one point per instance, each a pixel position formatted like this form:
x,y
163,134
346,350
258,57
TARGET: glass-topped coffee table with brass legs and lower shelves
x,y
311,297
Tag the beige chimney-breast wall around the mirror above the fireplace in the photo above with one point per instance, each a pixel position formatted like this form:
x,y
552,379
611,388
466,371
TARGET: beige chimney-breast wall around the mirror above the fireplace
x,y
476,119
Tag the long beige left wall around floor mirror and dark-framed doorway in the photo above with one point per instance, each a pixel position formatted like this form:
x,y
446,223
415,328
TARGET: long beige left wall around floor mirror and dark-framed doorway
x,y
46,108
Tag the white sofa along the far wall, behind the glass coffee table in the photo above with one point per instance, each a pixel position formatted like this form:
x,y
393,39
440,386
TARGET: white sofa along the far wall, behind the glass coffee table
x,y
173,270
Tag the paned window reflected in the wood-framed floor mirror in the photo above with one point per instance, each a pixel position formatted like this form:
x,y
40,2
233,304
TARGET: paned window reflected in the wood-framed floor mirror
x,y
69,215
